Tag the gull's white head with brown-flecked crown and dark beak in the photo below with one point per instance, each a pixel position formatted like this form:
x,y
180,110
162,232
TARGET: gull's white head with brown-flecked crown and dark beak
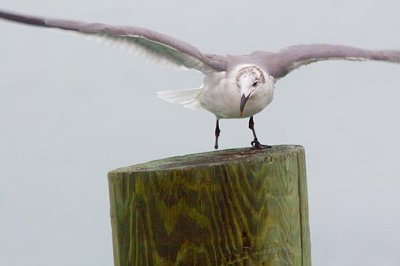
x,y
250,81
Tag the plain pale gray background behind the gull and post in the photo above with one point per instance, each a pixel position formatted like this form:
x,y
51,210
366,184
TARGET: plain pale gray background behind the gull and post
x,y
72,109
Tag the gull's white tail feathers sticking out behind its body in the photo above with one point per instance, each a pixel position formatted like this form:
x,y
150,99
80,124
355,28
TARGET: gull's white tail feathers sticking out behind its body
x,y
188,98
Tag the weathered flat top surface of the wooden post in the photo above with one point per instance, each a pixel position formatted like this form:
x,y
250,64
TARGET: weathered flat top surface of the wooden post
x,y
212,158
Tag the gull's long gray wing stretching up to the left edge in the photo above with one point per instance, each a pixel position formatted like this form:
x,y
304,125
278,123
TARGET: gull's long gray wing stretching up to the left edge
x,y
155,44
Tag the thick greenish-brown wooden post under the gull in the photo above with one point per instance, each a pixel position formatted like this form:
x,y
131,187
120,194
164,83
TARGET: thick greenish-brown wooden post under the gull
x,y
229,207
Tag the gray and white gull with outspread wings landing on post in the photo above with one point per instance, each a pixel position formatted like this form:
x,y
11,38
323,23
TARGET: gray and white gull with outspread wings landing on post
x,y
234,86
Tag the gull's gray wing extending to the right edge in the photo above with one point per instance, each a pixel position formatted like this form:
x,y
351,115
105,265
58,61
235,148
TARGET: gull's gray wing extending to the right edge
x,y
281,63
